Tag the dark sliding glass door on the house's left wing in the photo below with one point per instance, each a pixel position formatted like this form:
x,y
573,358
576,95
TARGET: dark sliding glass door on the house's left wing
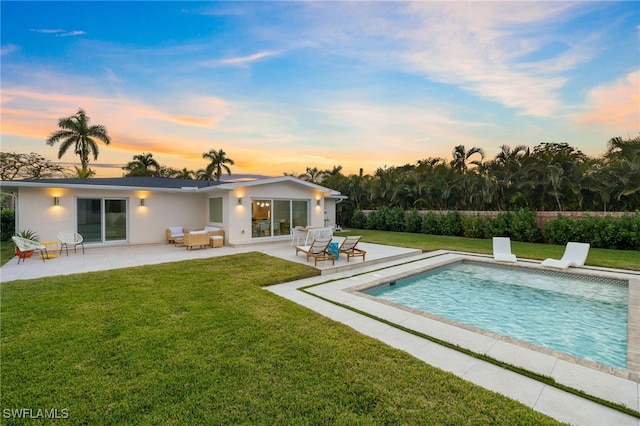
x,y
102,219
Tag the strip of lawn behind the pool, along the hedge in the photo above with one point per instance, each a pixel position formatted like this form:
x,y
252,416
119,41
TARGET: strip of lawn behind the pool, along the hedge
x,y
622,259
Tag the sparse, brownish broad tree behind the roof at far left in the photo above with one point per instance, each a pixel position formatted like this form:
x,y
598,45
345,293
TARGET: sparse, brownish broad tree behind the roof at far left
x,y
15,165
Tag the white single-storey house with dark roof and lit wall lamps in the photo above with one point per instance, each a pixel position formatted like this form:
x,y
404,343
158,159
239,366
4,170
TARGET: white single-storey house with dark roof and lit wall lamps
x,y
138,210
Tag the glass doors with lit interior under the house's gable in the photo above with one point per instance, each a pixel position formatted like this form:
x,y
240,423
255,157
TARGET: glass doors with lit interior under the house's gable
x,y
277,217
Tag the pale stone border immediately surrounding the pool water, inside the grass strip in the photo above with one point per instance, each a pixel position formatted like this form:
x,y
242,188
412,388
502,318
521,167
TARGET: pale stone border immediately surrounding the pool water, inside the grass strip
x,y
610,384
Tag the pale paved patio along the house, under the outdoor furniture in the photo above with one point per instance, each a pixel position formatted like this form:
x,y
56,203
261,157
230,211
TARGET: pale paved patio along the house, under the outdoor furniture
x,y
125,256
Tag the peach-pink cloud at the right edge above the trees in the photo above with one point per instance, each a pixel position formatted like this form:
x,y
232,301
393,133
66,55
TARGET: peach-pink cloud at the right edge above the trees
x,y
615,105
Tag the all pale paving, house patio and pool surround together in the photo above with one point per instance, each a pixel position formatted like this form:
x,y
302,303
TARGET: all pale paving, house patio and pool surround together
x,y
337,284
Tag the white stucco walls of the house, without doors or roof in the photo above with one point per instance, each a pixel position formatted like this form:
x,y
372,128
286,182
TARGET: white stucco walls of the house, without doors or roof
x,y
190,209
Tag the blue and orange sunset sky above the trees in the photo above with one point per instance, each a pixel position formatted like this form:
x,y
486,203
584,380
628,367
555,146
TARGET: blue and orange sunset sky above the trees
x,y
282,86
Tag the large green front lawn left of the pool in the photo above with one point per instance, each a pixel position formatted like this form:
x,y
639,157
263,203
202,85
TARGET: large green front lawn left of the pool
x,y
200,342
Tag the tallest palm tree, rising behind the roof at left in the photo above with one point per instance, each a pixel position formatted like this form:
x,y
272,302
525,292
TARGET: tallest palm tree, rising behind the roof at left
x,y
76,132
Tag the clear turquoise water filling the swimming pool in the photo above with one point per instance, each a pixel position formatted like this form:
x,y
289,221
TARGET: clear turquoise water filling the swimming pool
x,y
583,317
